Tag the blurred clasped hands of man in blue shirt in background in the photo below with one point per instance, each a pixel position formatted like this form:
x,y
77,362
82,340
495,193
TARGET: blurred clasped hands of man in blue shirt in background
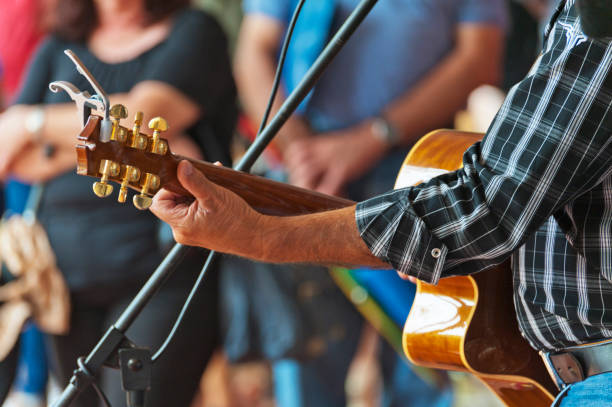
x,y
328,161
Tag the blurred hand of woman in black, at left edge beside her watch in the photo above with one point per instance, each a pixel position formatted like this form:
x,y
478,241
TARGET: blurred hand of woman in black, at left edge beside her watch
x,y
15,137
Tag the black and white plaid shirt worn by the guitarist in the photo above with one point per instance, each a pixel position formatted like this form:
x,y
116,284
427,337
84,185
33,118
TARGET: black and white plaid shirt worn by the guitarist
x,y
538,188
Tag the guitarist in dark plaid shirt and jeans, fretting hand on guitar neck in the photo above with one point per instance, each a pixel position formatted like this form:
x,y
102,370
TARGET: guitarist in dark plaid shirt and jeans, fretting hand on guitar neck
x,y
426,231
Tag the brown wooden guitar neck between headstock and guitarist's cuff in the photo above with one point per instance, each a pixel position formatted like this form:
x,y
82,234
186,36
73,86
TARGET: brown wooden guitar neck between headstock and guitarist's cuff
x,y
264,195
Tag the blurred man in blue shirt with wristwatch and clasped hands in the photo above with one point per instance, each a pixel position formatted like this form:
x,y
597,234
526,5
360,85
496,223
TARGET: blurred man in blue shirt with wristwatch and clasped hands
x,y
407,69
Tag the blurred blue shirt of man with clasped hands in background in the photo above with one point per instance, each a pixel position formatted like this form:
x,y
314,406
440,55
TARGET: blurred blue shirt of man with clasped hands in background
x,y
396,45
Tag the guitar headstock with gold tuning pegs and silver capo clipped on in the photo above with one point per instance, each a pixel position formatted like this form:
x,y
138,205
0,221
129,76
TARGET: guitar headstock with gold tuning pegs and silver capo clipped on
x,y
110,151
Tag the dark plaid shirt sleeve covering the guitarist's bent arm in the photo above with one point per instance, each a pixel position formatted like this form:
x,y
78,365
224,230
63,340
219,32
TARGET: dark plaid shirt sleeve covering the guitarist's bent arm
x,y
549,145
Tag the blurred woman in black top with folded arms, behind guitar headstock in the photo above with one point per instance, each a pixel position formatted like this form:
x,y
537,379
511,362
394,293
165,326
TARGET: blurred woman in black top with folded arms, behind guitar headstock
x,y
162,58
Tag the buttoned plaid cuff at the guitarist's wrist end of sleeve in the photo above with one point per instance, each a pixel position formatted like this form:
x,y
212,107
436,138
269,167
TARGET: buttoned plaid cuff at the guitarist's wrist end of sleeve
x,y
394,234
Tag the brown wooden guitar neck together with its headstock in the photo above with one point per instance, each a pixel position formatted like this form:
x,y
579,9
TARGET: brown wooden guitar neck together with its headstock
x,y
265,196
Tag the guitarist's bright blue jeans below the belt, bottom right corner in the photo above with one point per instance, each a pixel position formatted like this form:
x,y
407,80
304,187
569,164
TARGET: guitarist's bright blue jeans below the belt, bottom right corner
x,y
595,391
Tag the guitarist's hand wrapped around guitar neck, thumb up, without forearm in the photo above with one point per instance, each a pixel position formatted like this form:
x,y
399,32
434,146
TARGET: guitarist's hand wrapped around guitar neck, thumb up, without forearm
x,y
217,219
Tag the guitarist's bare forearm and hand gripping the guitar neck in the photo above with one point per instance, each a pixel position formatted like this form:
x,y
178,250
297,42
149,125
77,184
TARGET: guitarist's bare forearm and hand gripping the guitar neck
x,y
220,220
